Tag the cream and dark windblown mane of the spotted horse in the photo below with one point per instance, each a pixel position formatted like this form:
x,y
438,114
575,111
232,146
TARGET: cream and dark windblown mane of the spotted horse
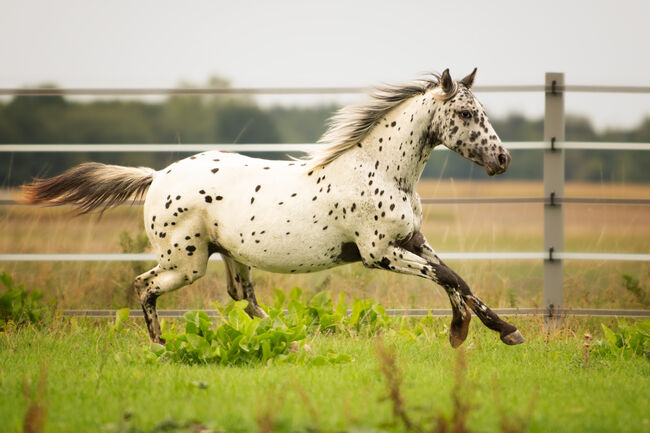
x,y
351,124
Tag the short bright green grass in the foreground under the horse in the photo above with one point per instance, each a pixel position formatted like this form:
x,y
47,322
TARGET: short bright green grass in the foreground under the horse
x,y
94,378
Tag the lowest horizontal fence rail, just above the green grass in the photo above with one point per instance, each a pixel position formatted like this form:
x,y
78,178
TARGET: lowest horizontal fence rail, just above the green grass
x,y
405,312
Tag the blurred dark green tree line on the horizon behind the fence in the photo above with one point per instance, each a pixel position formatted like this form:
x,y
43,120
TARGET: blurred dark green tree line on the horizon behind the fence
x,y
229,119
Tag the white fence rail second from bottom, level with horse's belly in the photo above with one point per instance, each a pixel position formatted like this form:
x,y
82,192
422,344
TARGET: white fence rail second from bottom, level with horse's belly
x,y
478,255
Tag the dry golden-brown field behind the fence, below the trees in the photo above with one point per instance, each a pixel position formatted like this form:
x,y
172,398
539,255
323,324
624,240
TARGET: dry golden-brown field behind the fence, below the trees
x,y
449,228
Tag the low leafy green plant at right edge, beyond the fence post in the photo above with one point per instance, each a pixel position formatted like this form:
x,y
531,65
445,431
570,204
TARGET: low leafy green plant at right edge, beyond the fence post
x,y
628,341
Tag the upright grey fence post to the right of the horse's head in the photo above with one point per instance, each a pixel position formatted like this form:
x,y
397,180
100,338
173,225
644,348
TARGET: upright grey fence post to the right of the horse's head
x,y
553,190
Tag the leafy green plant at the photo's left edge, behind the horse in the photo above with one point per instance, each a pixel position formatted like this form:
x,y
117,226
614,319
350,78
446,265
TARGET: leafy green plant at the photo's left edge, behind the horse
x,y
19,305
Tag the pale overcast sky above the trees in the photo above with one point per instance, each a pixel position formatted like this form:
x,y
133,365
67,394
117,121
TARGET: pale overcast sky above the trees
x,y
118,43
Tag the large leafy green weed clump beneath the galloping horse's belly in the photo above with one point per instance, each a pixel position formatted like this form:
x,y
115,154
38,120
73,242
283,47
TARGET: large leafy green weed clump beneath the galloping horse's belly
x,y
240,339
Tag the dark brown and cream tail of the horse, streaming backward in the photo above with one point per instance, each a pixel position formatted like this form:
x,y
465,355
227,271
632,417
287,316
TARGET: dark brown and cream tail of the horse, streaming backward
x,y
90,186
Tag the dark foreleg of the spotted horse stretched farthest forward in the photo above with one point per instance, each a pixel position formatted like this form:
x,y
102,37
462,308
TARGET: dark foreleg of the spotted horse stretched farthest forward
x,y
452,283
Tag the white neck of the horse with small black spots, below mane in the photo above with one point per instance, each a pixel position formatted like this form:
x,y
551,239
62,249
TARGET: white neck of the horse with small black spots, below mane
x,y
399,146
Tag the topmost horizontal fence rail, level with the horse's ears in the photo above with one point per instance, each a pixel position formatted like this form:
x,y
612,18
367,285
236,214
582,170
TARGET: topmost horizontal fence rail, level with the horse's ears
x,y
341,90
